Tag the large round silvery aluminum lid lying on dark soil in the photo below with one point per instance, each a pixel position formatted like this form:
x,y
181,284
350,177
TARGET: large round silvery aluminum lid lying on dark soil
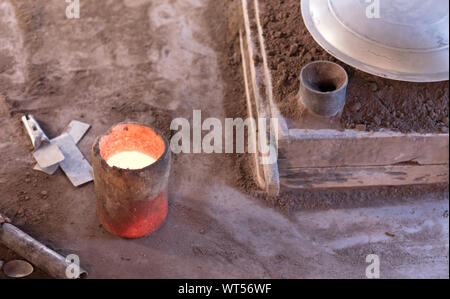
x,y
404,40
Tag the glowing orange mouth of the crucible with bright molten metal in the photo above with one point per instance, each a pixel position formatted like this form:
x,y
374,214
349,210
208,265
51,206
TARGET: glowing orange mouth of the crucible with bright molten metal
x,y
130,146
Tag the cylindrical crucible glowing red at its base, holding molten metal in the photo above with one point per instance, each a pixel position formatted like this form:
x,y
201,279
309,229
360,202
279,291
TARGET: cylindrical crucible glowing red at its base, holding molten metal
x,y
131,166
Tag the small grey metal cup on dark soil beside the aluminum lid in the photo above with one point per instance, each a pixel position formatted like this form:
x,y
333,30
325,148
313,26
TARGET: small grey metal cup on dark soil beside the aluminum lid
x,y
323,88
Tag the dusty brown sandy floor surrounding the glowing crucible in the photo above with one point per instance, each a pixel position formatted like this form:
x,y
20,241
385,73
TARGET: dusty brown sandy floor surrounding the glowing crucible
x,y
151,61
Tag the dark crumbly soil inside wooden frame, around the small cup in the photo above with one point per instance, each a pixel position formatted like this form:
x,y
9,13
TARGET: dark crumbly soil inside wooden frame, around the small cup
x,y
373,103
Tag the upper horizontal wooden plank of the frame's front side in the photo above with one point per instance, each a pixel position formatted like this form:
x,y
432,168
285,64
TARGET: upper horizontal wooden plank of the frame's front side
x,y
330,148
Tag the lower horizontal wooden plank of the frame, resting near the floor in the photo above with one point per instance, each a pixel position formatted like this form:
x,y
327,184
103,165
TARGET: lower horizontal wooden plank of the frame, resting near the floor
x,y
350,177
